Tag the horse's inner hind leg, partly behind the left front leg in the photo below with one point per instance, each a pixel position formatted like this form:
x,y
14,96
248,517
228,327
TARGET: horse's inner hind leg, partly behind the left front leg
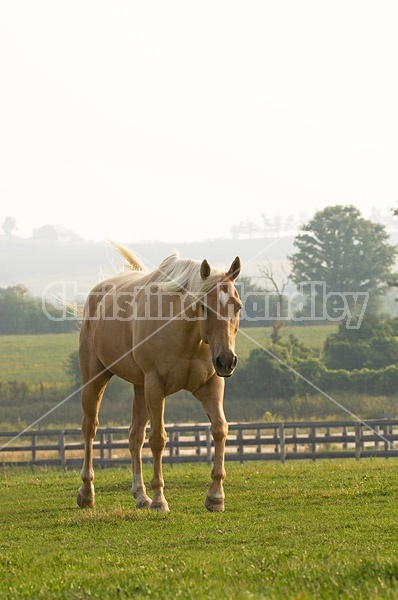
x,y
136,441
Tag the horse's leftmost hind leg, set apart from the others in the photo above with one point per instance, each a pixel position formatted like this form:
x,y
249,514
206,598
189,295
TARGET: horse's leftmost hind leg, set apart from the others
x,y
91,399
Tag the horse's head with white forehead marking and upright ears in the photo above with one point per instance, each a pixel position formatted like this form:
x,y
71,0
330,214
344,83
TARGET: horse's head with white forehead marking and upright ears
x,y
220,308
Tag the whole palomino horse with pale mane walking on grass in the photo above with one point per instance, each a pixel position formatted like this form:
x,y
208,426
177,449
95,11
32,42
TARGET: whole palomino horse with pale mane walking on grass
x,y
163,331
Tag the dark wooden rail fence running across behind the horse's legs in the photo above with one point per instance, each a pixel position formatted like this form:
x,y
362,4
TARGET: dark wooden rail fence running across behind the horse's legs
x,y
194,443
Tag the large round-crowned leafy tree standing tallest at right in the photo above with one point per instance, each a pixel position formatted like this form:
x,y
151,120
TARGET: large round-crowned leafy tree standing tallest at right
x,y
344,252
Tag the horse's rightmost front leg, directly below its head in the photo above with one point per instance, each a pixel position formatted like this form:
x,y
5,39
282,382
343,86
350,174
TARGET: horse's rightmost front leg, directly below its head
x,y
211,396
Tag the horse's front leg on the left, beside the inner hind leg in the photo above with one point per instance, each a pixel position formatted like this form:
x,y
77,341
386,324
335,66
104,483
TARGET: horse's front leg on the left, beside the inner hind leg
x,y
154,396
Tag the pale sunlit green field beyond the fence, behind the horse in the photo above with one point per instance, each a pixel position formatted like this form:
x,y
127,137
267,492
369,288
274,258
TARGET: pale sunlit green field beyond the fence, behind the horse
x,y
41,358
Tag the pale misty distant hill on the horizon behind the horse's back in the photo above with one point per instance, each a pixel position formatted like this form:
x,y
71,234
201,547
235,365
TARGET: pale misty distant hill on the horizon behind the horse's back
x,y
38,261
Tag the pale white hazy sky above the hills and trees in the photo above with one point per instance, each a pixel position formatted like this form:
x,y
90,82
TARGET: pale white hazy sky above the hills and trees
x,y
175,120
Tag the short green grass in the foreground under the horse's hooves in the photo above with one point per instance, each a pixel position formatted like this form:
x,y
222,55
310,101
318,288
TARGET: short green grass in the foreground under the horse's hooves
x,y
299,530
